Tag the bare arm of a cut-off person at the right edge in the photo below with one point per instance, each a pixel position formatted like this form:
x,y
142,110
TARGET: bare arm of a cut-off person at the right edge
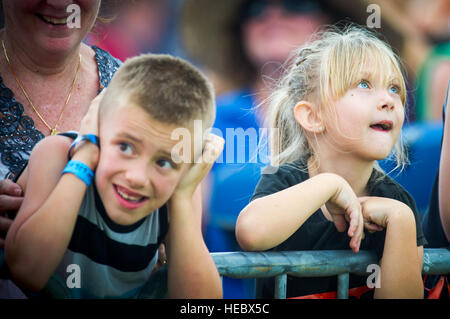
x,y
444,175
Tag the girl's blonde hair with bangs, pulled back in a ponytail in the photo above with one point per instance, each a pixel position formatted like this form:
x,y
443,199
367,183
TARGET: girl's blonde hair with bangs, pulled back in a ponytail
x,y
322,71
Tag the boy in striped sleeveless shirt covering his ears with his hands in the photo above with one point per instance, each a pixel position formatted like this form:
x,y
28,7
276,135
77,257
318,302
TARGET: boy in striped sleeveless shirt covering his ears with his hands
x,y
111,229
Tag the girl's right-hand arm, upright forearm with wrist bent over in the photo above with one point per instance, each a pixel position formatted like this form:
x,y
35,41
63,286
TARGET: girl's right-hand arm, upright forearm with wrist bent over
x,y
401,264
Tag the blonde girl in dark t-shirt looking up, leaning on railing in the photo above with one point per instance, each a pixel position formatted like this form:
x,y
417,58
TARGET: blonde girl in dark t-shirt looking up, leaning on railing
x,y
338,109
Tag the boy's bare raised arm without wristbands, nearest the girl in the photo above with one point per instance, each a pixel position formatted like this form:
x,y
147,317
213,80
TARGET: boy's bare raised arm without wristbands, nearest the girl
x,y
192,271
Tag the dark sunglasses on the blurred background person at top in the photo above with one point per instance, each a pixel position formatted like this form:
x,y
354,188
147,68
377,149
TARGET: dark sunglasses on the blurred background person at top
x,y
256,8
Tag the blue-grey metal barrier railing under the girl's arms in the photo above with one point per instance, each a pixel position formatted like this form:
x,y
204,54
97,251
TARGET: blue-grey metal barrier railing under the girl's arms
x,y
318,263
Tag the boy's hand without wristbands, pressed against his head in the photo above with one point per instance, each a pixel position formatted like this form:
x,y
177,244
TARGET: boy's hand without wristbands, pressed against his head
x,y
200,168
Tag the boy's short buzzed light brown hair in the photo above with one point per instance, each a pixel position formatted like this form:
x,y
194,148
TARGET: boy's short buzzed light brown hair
x,y
170,89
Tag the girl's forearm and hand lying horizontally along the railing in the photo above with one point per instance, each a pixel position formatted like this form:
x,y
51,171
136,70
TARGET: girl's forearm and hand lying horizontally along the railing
x,y
268,221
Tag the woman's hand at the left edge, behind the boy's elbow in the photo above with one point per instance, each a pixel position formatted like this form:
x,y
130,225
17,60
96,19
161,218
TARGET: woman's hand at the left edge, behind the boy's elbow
x,y
11,197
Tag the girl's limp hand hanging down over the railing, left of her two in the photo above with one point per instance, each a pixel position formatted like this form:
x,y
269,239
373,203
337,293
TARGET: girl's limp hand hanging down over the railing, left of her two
x,y
344,207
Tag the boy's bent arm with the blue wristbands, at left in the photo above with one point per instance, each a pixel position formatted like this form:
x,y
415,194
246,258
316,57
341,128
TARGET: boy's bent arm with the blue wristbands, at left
x,y
41,232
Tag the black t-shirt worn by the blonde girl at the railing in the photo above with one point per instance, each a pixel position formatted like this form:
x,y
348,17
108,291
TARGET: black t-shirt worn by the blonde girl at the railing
x,y
318,233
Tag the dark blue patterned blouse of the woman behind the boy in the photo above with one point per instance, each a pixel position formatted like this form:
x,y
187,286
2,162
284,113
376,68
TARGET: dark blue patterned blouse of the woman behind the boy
x,y
17,132
